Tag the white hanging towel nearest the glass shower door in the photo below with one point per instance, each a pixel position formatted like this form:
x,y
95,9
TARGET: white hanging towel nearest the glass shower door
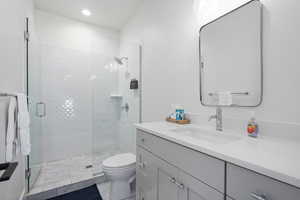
x,y
23,124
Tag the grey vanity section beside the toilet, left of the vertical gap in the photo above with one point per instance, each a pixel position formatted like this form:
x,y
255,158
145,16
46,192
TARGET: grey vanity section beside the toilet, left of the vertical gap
x,y
160,179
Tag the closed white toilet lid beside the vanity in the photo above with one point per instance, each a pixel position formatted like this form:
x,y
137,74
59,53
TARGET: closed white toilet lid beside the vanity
x,y
120,160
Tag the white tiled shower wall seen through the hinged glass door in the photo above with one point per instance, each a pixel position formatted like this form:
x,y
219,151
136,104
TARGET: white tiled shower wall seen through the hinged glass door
x,y
67,93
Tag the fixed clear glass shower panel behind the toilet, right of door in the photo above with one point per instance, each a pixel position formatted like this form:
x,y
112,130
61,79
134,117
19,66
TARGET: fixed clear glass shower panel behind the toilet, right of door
x,y
116,106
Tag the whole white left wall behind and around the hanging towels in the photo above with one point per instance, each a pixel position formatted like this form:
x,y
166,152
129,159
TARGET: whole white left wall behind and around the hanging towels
x,y
12,78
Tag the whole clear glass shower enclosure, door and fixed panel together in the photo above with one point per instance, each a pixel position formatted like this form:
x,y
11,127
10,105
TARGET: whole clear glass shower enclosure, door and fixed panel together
x,y
82,122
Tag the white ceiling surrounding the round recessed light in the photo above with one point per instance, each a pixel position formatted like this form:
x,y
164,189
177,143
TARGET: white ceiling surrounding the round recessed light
x,y
109,13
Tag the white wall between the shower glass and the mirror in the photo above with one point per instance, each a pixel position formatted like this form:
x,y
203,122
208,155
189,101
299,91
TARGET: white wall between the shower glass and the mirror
x,y
167,31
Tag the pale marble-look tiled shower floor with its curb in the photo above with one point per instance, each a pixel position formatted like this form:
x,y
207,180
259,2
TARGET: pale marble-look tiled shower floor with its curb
x,y
63,176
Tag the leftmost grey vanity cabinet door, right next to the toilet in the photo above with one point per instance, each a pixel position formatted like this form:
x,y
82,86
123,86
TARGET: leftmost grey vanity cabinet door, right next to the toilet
x,y
146,175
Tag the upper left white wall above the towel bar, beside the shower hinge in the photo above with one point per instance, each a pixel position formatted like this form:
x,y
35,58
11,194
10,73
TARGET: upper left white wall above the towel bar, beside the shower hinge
x,y
12,47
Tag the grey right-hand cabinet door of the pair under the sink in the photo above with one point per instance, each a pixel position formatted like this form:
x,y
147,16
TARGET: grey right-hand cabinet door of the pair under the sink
x,y
193,189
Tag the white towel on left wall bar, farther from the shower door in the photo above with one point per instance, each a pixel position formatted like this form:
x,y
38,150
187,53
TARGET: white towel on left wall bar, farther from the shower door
x,y
11,131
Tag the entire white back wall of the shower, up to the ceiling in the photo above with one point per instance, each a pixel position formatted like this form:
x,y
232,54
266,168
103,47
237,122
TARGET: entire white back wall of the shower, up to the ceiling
x,y
81,117
